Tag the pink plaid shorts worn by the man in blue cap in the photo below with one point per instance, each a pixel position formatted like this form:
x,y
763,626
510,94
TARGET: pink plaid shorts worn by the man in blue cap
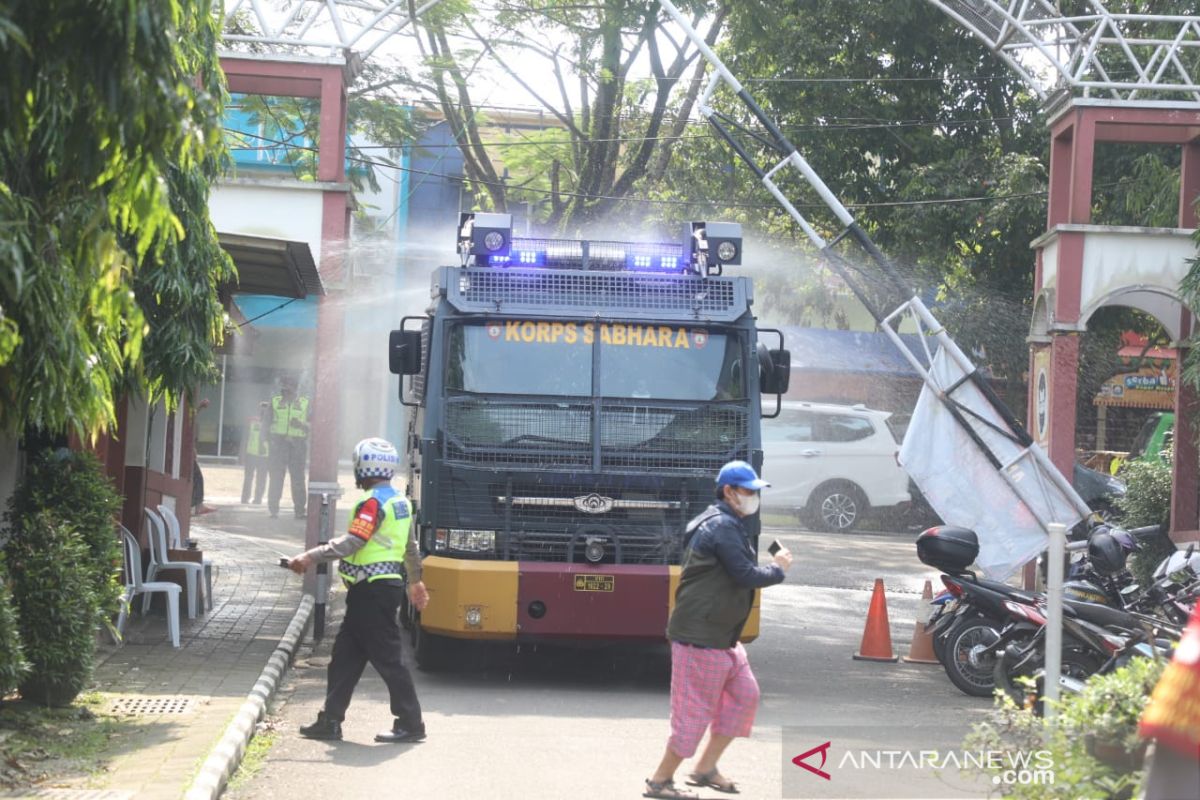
x,y
710,688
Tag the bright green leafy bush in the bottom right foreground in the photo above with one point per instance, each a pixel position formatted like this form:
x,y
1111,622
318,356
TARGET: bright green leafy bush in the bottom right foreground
x,y
1095,747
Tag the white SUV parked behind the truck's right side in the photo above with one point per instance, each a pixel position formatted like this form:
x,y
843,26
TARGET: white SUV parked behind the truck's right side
x,y
832,464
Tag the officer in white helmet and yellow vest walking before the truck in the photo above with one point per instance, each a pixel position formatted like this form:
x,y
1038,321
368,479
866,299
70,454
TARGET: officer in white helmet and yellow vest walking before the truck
x,y
377,552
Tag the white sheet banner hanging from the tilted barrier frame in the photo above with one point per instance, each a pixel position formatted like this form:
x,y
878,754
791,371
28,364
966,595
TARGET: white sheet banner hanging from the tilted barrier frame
x,y
1007,508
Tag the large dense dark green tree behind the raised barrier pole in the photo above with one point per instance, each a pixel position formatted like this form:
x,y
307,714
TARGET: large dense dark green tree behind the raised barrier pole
x,y
931,142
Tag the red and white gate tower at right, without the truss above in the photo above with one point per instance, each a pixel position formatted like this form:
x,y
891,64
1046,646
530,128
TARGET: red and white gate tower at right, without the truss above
x,y
1083,268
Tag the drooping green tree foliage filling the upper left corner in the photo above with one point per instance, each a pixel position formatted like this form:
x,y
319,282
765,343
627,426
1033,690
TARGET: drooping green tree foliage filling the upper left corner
x,y
110,266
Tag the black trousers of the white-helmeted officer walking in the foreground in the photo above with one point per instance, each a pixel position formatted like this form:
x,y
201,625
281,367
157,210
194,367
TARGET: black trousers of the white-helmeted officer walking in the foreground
x,y
370,634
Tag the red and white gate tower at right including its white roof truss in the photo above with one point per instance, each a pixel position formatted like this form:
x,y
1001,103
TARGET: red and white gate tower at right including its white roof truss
x,y
1141,65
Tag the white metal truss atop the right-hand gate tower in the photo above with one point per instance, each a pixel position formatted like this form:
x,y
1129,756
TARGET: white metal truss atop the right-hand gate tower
x,y
1091,53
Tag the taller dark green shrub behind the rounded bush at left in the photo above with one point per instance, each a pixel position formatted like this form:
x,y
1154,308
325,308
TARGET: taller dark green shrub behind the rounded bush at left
x,y
75,489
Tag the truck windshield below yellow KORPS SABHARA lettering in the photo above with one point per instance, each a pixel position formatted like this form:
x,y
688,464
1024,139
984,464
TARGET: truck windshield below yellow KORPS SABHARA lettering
x,y
663,363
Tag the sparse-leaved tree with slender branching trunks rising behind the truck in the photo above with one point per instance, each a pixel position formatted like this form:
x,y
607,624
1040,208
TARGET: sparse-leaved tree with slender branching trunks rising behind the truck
x,y
610,129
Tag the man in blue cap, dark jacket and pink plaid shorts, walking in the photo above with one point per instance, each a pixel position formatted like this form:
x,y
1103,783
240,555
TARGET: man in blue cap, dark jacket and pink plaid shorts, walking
x,y
712,685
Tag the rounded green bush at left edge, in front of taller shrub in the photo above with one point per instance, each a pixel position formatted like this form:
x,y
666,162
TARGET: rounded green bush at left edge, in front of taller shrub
x,y
55,591
